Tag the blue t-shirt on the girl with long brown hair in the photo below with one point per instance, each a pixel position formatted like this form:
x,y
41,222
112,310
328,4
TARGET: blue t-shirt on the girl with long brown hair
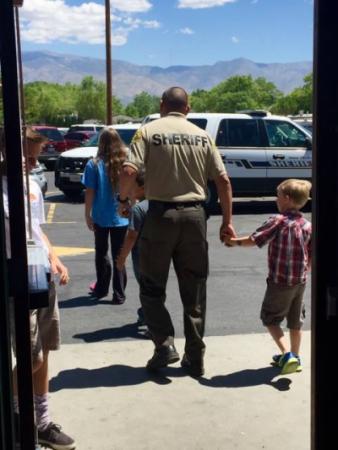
x,y
105,205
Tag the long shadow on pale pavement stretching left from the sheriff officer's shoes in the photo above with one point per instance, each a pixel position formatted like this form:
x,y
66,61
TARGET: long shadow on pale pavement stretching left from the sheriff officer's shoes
x,y
110,376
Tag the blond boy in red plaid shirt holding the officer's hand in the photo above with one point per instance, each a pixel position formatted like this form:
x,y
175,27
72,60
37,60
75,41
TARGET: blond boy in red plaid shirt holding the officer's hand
x,y
289,256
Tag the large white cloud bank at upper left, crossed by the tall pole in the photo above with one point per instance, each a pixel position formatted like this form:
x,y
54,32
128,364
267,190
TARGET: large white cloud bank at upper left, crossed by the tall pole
x,y
45,21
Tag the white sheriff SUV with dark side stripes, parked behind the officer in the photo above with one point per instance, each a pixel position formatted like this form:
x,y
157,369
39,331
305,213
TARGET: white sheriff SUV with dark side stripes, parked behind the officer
x,y
258,149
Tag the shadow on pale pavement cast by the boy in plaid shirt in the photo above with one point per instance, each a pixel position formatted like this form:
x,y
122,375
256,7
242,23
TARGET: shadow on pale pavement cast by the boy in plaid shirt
x,y
247,378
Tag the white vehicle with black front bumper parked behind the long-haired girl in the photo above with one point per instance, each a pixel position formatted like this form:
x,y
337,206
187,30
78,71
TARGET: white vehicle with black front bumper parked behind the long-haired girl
x,y
71,163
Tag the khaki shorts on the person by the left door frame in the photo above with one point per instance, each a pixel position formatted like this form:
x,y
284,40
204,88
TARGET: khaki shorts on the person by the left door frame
x,y
45,327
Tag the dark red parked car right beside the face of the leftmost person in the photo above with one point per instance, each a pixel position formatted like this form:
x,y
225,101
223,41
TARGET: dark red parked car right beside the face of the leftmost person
x,y
55,145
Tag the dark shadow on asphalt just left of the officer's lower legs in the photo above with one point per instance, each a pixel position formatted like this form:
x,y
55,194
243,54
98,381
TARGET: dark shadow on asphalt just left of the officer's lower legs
x,y
130,330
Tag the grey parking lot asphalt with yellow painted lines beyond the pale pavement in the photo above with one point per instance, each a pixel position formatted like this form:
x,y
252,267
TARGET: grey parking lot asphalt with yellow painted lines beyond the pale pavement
x,y
236,282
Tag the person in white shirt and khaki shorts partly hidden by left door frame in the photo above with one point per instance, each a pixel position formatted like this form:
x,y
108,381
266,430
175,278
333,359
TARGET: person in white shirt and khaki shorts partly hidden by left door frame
x,y
44,322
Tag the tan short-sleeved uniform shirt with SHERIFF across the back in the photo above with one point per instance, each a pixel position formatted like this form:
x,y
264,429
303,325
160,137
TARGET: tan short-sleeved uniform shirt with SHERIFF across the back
x,y
178,157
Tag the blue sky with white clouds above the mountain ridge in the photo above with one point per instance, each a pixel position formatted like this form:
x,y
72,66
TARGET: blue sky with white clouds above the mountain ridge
x,y
173,32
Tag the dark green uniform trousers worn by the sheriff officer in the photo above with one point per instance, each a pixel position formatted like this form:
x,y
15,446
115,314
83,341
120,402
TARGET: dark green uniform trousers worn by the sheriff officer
x,y
177,234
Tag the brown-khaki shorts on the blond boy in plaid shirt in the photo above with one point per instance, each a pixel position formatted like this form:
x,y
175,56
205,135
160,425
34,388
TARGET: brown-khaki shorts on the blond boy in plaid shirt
x,y
282,302
